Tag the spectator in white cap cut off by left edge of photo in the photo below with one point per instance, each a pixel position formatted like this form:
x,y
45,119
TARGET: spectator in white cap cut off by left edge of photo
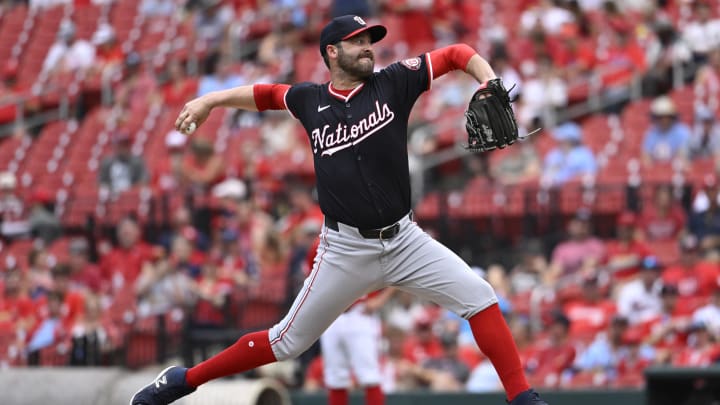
x,y
13,221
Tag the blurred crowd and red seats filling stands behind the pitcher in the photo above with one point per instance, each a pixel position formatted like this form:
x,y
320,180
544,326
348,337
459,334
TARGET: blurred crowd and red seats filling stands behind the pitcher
x,y
234,214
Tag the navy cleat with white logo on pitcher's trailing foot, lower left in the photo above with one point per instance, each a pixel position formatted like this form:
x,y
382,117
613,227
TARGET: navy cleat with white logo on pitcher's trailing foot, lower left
x,y
168,386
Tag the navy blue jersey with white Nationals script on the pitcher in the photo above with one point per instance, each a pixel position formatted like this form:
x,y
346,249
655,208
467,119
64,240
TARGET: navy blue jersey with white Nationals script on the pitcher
x,y
359,142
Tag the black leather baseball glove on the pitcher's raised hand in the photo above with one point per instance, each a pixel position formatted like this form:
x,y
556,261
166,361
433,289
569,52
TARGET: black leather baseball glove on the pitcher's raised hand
x,y
490,118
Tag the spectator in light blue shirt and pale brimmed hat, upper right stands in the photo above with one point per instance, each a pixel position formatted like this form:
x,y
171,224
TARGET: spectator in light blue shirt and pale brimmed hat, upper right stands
x,y
668,137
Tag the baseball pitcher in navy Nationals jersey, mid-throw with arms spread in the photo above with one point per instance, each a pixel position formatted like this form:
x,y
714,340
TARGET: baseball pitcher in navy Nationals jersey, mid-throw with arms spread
x,y
357,127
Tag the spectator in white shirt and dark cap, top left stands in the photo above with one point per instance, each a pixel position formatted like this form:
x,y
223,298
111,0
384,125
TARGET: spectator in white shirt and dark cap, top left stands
x,y
68,53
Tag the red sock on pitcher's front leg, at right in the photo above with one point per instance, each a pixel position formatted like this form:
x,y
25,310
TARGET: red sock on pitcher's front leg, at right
x,y
493,337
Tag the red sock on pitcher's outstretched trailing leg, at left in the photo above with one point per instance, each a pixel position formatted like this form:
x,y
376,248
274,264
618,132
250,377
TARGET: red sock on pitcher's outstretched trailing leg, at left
x,y
250,351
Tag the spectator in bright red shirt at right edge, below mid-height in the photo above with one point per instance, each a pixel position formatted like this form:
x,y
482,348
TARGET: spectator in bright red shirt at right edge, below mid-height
x,y
693,275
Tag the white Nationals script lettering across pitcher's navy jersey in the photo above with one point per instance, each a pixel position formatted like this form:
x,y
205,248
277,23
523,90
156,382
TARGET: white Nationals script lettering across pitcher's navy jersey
x,y
327,141
